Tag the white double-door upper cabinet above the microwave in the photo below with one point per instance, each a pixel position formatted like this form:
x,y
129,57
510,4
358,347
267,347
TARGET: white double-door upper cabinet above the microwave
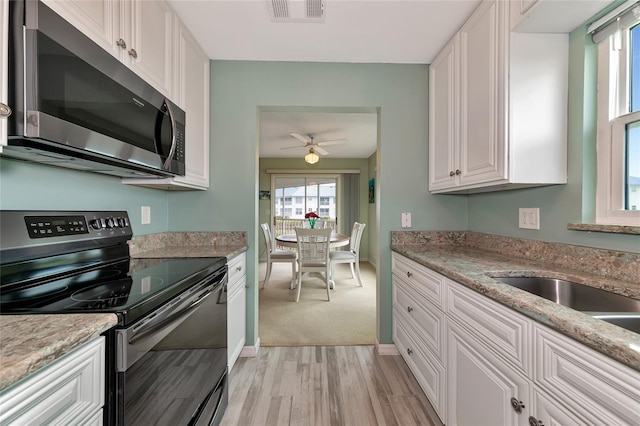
x,y
137,32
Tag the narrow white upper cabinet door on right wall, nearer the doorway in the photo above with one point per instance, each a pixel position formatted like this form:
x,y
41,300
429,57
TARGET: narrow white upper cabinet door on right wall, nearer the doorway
x,y
443,117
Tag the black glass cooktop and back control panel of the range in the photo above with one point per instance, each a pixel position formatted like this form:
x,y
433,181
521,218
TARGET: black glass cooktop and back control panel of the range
x,y
78,262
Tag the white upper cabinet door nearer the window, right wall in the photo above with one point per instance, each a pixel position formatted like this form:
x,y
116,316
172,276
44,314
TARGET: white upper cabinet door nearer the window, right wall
x,y
483,94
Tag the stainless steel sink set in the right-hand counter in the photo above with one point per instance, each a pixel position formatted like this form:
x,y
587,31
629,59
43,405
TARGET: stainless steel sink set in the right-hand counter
x,y
611,307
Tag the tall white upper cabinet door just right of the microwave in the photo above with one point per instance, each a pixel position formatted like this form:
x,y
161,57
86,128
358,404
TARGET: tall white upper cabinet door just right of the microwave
x,y
193,89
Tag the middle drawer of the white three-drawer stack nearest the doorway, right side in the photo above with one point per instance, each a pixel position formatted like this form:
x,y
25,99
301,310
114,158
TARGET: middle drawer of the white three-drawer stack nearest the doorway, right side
x,y
422,315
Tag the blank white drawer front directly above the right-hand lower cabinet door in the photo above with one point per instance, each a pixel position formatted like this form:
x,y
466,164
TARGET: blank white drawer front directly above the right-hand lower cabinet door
x,y
503,330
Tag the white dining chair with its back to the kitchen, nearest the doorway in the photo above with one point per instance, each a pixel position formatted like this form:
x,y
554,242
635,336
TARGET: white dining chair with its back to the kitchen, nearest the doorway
x,y
313,254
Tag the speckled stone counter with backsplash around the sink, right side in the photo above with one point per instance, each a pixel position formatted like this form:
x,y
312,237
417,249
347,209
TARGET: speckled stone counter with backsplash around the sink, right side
x,y
472,259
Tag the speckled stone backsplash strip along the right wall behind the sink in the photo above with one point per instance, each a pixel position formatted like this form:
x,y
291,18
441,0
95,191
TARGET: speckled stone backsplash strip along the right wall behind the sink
x,y
606,263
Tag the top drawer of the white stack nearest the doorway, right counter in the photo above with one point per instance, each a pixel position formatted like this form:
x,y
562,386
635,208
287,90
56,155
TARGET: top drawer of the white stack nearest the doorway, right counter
x,y
427,283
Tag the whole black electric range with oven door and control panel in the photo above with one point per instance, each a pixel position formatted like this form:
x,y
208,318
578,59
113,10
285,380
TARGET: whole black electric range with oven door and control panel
x,y
171,311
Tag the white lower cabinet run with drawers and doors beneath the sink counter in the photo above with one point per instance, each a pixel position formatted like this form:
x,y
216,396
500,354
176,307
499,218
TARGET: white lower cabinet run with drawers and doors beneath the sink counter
x,y
498,367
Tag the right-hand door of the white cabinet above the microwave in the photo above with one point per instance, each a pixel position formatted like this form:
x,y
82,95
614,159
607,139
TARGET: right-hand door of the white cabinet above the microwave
x,y
150,51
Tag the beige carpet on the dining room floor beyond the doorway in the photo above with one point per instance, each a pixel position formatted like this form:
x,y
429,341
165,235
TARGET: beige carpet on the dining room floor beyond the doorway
x,y
348,319
